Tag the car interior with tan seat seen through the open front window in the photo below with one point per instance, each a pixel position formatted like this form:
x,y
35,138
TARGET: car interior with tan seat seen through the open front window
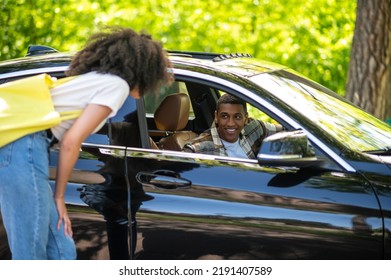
x,y
182,111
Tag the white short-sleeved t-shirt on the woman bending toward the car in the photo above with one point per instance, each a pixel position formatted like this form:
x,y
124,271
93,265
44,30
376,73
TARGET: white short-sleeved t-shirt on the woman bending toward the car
x,y
90,88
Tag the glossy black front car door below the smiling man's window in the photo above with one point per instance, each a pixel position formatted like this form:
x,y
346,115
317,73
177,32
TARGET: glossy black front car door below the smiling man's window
x,y
210,207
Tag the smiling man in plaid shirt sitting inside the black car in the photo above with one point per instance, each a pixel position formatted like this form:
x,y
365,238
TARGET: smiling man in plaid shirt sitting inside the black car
x,y
232,133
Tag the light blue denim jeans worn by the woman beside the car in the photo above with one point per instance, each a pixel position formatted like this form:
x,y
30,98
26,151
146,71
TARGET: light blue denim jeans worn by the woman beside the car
x,y
26,202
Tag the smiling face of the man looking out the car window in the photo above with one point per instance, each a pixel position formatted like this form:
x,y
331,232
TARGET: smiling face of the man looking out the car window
x,y
230,119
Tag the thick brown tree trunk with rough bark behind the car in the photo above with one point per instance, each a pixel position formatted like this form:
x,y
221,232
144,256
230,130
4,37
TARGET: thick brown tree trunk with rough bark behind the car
x,y
369,77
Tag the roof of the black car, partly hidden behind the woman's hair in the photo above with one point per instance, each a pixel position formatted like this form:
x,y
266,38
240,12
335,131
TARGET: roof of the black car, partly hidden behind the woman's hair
x,y
238,64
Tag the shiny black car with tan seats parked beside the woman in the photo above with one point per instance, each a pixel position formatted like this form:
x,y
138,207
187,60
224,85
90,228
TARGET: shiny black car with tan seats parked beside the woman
x,y
331,203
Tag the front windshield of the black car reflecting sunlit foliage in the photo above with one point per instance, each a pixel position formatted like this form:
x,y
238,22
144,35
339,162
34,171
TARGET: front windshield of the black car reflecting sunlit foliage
x,y
348,124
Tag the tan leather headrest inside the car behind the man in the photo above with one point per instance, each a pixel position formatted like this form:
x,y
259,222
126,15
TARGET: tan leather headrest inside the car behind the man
x,y
173,112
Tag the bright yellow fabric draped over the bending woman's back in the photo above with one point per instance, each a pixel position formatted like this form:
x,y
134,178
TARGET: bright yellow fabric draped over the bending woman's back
x,y
26,107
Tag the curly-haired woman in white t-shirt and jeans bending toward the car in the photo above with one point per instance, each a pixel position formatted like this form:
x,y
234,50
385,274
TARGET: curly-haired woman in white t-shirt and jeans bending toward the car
x,y
112,65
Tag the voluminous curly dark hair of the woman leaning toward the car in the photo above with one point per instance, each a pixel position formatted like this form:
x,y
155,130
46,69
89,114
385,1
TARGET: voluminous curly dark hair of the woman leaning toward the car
x,y
135,57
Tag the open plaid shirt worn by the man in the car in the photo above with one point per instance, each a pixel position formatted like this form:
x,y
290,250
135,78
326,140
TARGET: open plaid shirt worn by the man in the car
x,y
250,139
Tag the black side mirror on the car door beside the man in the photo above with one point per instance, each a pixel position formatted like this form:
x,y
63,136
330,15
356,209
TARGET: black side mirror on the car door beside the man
x,y
288,148
